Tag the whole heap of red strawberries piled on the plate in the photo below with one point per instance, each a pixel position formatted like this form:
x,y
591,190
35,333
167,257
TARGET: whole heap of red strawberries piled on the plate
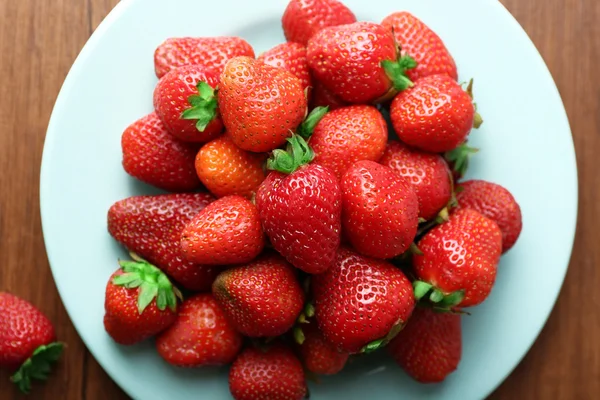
x,y
298,234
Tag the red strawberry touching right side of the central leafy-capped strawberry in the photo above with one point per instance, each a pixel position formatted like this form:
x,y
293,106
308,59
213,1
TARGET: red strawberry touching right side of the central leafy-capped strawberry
x,y
380,210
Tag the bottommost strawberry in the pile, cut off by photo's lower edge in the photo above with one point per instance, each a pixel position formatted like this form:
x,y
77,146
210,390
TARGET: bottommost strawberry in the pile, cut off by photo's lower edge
x,y
274,374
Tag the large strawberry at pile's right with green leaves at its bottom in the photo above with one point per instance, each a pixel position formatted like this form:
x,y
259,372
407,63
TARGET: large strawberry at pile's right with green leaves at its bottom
x,y
459,260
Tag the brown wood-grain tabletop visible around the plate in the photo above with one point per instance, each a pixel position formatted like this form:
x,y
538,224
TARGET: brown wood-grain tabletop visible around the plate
x,y
39,41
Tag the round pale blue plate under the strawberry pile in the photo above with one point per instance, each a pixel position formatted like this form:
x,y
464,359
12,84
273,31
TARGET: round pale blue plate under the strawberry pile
x,y
525,144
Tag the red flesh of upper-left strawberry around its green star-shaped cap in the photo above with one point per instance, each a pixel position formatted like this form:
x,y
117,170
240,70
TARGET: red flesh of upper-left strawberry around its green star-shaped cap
x,y
171,99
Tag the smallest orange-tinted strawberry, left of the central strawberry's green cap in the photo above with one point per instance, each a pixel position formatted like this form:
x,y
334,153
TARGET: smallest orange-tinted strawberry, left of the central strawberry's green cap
x,y
226,170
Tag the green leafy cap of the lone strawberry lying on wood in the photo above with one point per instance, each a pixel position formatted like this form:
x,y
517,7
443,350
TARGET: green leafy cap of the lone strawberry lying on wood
x,y
37,366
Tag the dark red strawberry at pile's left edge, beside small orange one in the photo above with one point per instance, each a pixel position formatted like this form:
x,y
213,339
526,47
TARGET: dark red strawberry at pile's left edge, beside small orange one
x,y
152,155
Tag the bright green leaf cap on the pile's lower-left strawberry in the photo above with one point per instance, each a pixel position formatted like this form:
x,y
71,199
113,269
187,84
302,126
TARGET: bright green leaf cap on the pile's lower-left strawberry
x,y
153,284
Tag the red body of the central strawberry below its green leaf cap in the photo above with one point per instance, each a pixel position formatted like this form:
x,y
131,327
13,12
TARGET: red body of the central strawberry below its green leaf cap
x,y
300,214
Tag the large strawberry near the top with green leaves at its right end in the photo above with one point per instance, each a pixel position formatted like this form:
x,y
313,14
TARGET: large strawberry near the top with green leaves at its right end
x,y
358,62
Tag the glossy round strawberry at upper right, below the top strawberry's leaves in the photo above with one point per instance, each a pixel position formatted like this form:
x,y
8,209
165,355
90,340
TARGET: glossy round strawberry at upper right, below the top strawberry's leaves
x,y
435,115
